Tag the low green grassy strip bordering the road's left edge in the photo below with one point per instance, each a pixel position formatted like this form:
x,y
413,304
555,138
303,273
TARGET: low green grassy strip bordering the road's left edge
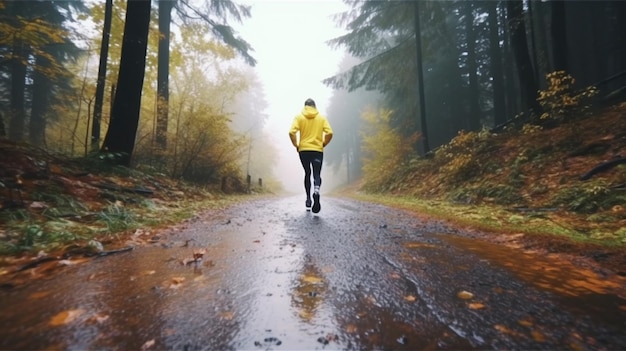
x,y
25,231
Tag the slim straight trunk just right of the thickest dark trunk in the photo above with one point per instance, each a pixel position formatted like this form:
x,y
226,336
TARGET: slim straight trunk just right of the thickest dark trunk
x,y
165,17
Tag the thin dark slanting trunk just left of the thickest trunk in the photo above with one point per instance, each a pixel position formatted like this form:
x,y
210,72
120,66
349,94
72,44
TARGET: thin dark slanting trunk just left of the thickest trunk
x,y
102,73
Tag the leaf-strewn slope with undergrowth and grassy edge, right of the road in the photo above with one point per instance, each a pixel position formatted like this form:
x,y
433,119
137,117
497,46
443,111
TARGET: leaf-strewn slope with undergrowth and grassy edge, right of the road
x,y
525,171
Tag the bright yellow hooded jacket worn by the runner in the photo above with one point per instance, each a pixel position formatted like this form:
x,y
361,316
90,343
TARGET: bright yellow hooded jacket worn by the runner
x,y
312,127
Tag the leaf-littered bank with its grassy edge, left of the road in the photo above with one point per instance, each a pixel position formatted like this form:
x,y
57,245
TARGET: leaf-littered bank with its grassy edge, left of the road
x,y
69,203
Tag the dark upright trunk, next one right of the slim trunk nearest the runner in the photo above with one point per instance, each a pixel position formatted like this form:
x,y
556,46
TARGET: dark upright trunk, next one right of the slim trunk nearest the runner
x,y
474,113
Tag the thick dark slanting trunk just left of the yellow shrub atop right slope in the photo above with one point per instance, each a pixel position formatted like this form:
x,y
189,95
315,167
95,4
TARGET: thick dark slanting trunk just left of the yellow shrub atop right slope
x,y
519,42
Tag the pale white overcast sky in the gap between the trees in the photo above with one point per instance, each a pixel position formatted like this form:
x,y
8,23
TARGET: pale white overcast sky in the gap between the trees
x,y
289,40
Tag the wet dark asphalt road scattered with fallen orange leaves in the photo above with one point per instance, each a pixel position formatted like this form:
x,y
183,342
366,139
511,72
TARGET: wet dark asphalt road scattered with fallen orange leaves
x,y
356,276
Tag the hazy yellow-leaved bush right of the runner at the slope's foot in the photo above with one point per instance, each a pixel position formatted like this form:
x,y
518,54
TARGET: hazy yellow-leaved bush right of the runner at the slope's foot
x,y
385,150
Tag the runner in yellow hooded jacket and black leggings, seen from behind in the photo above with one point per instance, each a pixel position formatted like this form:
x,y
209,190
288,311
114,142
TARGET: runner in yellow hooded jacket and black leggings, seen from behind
x,y
315,134
